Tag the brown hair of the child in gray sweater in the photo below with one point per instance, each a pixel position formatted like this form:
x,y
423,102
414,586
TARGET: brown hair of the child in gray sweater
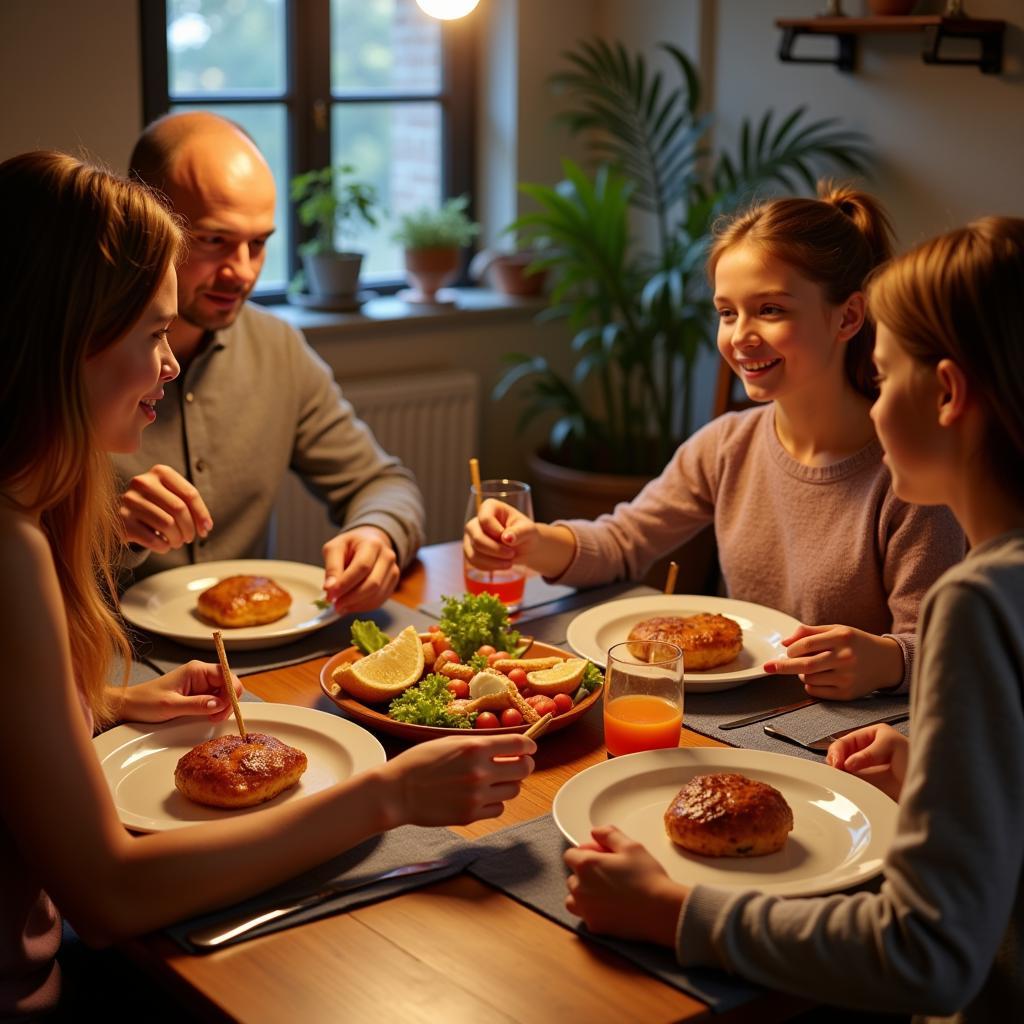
x,y
961,296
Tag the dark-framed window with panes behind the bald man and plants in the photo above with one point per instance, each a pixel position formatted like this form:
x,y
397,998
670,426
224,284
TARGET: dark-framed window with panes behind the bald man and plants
x,y
376,84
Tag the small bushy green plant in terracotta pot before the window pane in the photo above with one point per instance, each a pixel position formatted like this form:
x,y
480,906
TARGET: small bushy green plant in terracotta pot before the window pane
x,y
434,240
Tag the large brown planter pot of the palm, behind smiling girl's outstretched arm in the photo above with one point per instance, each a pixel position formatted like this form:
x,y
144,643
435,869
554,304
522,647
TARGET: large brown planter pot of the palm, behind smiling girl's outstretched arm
x,y
564,493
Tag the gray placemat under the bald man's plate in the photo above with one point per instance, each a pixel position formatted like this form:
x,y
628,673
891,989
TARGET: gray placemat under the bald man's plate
x,y
164,655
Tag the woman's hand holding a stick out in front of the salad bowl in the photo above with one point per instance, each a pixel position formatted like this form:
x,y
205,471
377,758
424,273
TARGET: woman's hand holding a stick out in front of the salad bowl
x,y
458,780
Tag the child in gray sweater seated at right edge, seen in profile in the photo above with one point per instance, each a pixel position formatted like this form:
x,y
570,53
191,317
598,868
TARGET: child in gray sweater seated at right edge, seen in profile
x,y
944,935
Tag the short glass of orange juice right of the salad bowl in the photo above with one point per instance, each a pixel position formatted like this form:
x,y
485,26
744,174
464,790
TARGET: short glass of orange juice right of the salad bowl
x,y
644,697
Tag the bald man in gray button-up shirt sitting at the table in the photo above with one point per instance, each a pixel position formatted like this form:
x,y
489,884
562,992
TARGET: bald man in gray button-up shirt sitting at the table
x,y
253,401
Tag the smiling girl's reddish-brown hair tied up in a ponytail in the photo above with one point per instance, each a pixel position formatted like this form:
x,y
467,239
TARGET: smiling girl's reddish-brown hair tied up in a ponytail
x,y
836,241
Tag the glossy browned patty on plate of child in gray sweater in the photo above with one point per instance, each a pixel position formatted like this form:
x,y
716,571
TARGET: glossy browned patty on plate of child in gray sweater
x,y
729,816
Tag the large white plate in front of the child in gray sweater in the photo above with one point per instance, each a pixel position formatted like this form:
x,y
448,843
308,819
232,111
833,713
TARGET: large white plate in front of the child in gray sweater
x,y
843,827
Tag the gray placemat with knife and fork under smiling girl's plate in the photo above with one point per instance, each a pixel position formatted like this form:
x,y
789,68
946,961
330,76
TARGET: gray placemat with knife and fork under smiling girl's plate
x,y
706,712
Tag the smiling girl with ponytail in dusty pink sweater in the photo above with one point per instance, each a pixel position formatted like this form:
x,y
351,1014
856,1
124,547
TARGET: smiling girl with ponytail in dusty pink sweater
x,y
804,511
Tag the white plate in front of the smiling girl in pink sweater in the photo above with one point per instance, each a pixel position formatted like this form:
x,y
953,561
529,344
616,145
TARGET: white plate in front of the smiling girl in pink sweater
x,y
594,631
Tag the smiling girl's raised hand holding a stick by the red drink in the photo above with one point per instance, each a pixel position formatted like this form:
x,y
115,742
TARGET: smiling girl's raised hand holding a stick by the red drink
x,y
502,536
